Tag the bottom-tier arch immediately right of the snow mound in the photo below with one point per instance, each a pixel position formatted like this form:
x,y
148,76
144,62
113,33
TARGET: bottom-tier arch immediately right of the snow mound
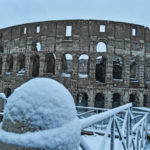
x,y
82,99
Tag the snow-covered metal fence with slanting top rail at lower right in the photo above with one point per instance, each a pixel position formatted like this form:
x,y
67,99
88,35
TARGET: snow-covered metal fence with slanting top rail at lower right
x,y
132,132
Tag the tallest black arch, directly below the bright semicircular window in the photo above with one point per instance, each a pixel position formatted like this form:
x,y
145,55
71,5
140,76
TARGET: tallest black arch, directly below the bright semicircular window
x,y
100,72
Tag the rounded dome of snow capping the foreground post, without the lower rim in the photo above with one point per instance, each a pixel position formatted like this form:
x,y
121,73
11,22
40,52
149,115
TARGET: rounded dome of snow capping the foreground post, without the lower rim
x,y
44,102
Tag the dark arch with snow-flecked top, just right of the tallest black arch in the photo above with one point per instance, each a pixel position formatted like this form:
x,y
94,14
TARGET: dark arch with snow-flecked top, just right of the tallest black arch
x,y
117,67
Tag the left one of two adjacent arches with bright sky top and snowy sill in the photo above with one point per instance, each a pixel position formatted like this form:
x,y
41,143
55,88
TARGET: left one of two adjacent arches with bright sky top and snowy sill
x,y
67,65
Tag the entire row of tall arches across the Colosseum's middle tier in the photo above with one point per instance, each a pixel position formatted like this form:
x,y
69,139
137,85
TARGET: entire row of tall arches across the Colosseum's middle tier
x,y
67,66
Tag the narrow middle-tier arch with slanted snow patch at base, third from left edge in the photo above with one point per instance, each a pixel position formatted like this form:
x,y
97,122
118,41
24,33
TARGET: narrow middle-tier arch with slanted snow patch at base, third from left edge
x,y
21,64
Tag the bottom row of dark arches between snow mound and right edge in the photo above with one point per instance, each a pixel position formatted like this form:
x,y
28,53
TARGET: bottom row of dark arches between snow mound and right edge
x,y
99,101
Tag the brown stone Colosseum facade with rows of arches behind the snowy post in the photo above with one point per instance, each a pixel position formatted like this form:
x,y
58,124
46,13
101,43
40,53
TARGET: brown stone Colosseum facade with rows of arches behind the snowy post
x,y
102,63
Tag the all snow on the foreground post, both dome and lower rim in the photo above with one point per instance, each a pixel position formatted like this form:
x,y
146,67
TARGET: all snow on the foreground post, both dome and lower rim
x,y
48,105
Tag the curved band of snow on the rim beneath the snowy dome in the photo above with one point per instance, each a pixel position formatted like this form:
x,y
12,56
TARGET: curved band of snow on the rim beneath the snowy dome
x,y
66,135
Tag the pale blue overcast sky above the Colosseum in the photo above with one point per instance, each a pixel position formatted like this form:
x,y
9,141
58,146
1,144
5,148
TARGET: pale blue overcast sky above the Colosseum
x,y
13,12
